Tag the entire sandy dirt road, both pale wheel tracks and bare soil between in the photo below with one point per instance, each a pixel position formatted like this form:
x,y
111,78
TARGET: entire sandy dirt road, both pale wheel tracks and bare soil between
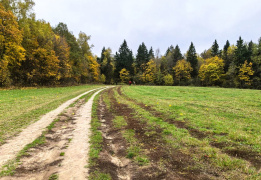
x,y
64,152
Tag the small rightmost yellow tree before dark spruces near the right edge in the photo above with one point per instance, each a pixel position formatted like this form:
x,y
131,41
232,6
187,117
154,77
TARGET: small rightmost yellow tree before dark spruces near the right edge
x,y
245,72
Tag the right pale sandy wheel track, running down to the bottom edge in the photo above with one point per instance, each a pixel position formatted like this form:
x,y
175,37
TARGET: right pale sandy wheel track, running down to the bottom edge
x,y
77,153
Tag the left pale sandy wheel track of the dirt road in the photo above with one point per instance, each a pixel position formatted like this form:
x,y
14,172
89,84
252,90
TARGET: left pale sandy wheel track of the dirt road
x,y
9,150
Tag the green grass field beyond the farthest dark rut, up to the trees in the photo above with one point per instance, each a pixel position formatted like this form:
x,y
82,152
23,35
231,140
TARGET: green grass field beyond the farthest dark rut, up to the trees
x,y
234,112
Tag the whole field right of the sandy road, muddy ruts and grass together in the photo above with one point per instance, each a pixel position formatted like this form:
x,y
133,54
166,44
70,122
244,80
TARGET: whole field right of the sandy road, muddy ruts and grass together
x,y
177,133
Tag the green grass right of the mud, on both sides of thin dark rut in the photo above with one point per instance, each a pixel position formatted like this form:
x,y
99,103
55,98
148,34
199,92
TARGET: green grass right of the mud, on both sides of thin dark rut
x,y
233,113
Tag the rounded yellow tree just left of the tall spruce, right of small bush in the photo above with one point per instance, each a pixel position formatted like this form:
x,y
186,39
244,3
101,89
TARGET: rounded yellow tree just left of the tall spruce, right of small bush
x,y
183,70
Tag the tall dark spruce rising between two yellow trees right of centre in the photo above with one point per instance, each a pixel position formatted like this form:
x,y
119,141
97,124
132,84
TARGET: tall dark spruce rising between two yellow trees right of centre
x,y
193,59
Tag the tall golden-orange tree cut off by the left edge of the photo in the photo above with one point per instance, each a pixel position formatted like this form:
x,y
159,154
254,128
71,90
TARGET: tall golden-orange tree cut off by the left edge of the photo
x,y
11,51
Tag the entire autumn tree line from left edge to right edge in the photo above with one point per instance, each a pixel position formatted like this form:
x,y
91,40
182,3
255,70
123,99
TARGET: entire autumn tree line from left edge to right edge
x,y
32,53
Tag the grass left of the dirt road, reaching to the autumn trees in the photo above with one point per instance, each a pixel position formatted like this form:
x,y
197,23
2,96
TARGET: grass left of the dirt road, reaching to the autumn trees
x,y
21,107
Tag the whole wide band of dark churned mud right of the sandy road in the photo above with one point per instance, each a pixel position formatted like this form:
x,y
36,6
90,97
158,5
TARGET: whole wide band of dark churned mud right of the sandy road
x,y
165,163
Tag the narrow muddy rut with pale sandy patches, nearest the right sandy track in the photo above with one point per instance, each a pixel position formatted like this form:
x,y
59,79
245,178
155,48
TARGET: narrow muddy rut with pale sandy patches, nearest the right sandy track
x,y
112,159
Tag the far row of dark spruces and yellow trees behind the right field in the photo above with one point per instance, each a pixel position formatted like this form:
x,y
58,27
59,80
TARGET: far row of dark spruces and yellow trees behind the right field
x,y
233,66
